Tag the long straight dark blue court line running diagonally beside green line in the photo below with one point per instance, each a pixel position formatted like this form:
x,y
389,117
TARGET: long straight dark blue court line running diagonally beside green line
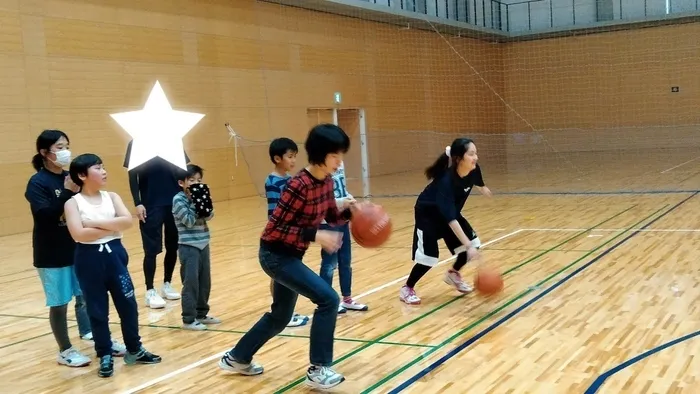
x,y
524,306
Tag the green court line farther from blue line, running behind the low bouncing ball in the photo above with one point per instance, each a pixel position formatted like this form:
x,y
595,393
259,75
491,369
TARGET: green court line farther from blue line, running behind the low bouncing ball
x,y
445,304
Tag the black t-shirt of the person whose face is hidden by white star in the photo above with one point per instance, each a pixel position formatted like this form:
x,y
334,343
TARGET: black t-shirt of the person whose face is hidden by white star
x,y
153,183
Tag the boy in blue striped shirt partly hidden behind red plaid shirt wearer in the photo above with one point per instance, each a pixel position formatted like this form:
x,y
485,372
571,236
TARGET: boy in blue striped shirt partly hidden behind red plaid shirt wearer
x,y
283,153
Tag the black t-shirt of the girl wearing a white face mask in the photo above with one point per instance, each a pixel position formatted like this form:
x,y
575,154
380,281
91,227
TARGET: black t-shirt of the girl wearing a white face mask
x,y
53,245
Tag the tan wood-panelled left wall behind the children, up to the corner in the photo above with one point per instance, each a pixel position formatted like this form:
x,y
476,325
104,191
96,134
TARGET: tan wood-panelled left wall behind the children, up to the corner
x,y
69,64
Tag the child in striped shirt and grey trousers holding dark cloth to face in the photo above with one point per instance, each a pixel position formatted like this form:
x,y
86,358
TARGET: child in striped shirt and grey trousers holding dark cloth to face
x,y
195,266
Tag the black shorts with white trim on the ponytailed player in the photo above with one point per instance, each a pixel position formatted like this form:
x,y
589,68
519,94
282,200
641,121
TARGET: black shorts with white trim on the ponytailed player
x,y
428,230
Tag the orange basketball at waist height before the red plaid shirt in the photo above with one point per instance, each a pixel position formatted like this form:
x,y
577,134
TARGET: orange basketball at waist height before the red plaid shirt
x,y
370,225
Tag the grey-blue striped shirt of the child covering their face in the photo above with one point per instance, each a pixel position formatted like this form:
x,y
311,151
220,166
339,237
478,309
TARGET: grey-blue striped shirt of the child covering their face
x,y
190,230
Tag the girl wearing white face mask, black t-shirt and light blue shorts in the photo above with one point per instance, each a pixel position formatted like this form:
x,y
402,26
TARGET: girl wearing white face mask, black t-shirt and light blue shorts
x,y
47,192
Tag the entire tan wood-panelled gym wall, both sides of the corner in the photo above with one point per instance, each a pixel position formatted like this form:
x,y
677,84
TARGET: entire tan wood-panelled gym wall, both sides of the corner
x,y
260,66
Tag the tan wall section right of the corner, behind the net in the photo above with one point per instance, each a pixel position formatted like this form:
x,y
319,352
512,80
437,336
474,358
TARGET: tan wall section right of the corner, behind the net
x,y
609,91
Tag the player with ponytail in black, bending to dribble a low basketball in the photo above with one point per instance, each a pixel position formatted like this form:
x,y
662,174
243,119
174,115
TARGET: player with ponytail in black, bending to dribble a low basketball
x,y
438,216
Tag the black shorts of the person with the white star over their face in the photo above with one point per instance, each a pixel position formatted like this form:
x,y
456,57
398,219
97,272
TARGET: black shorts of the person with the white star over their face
x,y
158,218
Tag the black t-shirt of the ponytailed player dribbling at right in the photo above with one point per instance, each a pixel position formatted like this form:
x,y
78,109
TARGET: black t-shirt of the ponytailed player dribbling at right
x,y
448,193
